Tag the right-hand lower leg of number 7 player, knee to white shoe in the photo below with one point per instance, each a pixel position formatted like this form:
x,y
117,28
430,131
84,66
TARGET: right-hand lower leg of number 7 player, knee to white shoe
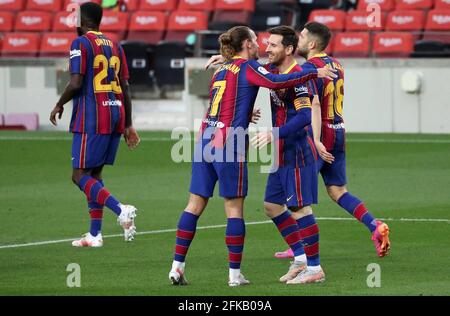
x,y
234,239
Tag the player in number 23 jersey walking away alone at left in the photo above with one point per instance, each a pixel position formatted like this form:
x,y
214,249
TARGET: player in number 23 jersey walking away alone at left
x,y
101,113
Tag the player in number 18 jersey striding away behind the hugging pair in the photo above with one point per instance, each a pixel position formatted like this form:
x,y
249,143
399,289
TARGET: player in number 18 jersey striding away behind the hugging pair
x,y
329,133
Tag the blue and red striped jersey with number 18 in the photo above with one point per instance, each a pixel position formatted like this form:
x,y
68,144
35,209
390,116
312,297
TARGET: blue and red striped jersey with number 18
x,y
331,97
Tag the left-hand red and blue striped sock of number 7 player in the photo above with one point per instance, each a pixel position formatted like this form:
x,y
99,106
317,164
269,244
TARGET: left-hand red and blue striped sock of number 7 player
x,y
187,225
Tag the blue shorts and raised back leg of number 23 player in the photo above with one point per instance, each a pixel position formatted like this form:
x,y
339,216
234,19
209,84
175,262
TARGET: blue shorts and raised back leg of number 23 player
x,y
91,151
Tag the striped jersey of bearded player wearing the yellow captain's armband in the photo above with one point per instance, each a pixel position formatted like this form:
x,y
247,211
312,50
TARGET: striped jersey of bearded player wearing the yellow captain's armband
x,y
297,147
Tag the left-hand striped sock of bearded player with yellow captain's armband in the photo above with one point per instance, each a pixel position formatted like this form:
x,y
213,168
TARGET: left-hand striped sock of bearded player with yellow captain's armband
x,y
288,228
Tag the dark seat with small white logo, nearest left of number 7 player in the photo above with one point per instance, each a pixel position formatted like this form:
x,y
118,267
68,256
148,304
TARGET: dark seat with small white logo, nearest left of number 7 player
x,y
169,64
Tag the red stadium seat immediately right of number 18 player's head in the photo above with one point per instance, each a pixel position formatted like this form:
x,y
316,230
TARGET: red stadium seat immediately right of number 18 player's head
x,y
351,44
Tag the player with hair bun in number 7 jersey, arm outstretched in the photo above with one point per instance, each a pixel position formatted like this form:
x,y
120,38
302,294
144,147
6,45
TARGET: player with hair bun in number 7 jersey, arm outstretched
x,y
220,154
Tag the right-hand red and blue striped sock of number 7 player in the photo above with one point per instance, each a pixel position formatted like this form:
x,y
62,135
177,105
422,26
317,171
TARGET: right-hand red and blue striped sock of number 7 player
x,y
235,235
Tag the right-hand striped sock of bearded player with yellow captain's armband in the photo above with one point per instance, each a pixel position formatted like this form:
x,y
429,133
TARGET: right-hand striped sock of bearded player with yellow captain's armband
x,y
309,232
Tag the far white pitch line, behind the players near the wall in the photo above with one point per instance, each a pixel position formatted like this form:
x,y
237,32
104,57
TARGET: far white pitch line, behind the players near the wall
x,y
165,139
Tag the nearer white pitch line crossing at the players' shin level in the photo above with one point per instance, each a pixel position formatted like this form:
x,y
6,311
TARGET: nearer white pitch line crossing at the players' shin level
x,y
161,231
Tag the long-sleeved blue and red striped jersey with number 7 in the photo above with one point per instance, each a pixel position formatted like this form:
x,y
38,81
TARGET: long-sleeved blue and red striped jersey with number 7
x,y
233,92
